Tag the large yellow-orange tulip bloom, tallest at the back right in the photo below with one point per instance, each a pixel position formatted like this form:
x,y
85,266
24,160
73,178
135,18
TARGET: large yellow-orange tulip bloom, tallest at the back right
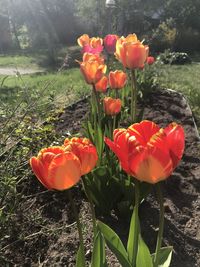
x,y
131,52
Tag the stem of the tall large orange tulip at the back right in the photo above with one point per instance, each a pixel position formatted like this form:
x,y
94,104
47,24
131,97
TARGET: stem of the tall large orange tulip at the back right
x,y
133,96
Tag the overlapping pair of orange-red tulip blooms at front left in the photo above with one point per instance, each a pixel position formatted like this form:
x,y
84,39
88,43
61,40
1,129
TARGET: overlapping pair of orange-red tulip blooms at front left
x,y
61,167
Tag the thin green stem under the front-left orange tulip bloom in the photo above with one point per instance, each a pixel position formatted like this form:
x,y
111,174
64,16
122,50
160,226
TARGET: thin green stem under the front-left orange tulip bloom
x,y
78,226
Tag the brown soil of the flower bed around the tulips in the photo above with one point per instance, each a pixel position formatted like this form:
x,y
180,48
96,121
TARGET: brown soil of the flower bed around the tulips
x,y
43,232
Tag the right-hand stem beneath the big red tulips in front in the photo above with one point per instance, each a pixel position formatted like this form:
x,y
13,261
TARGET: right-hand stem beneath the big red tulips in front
x,y
161,224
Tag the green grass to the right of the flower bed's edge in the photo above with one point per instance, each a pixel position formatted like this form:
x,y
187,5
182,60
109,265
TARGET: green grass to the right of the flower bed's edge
x,y
185,79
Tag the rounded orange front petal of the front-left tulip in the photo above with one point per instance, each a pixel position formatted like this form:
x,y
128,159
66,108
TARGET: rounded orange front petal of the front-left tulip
x,y
64,171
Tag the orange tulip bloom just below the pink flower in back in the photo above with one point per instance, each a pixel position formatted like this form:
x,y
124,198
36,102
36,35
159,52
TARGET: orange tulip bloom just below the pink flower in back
x,y
92,68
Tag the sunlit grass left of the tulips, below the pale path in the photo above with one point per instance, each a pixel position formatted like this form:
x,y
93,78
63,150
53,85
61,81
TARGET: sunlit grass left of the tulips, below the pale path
x,y
55,89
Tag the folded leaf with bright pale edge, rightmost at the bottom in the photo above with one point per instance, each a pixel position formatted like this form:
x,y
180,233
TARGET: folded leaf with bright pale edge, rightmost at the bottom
x,y
164,257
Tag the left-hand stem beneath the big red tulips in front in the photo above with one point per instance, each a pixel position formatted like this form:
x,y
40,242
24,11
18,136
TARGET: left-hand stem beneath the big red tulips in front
x,y
136,208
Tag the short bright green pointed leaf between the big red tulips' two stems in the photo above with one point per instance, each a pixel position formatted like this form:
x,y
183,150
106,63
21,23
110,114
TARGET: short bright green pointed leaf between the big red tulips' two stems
x,y
144,258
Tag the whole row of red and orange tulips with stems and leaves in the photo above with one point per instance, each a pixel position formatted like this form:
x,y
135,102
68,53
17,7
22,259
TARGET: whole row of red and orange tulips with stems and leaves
x,y
145,151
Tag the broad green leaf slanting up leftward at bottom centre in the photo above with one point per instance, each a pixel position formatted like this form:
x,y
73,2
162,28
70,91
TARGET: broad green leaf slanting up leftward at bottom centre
x,y
115,244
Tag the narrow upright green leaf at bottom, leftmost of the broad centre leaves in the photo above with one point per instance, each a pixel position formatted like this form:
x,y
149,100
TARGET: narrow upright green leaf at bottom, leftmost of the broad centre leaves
x,y
98,255
